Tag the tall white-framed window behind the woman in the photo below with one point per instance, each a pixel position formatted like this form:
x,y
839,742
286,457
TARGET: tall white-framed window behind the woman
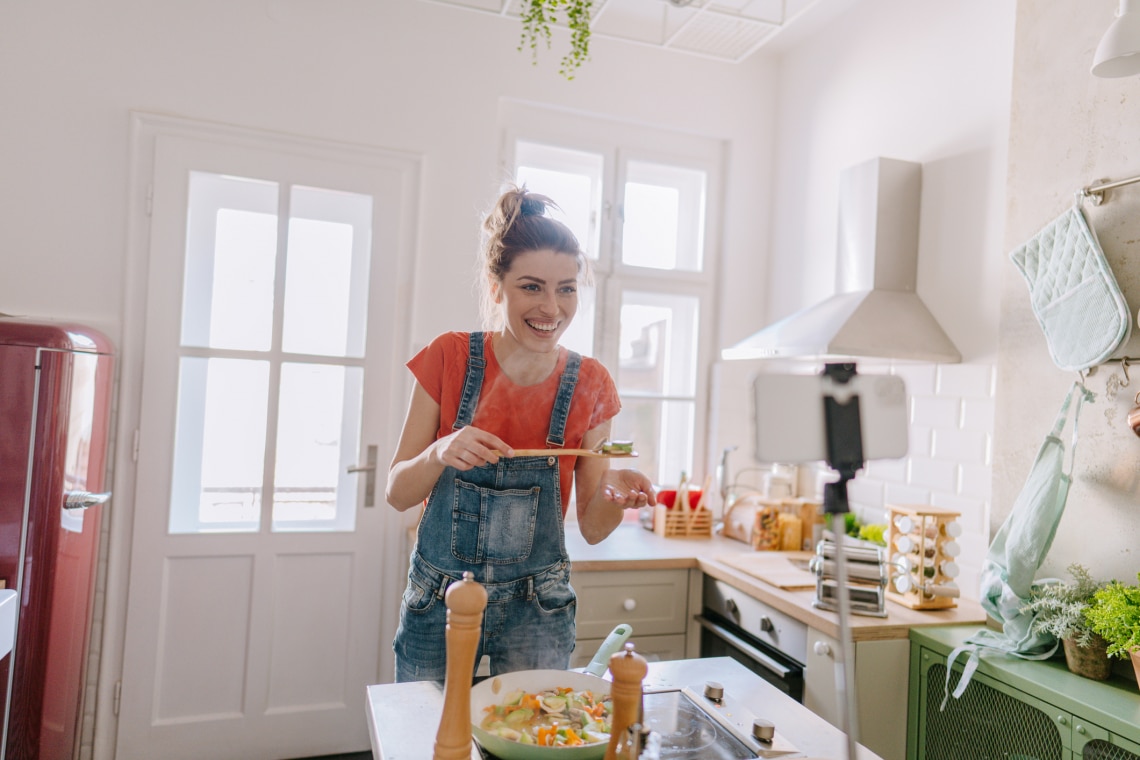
x,y
638,201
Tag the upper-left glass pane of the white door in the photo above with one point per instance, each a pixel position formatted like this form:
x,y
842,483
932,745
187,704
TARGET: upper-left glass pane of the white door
x,y
231,261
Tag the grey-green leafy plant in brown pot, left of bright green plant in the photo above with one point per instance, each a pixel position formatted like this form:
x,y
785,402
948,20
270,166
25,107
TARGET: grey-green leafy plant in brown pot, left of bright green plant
x,y
1060,610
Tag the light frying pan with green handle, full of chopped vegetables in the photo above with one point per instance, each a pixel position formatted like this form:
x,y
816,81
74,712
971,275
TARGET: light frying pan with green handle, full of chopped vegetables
x,y
538,715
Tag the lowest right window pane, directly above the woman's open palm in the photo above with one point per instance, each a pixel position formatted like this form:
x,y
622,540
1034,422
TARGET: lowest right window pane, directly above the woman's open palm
x,y
664,435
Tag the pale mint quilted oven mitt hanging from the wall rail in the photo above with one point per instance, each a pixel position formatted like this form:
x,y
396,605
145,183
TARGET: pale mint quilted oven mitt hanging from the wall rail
x,y
1073,292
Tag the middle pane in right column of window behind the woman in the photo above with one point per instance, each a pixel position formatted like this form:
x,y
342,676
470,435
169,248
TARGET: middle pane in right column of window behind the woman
x,y
658,345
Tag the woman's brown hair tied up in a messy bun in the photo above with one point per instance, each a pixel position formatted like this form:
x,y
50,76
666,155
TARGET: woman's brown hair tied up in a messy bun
x,y
519,224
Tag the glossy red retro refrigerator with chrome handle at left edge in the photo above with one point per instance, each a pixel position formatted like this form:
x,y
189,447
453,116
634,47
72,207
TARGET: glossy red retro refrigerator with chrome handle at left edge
x,y
55,414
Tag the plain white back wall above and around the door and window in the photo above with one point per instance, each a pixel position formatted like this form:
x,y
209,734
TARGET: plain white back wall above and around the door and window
x,y
398,75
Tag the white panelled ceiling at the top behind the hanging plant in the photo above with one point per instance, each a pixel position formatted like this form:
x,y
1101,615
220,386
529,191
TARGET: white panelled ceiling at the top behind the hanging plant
x,y
722,30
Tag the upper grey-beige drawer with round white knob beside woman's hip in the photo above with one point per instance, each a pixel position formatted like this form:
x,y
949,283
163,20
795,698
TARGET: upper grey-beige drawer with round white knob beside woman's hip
x,y
653,602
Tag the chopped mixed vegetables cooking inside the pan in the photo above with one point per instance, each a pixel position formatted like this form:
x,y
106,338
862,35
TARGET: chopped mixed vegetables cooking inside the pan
x,y
558,717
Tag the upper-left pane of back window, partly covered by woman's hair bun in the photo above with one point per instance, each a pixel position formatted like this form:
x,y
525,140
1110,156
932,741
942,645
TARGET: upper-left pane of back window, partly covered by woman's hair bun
x,y
573,179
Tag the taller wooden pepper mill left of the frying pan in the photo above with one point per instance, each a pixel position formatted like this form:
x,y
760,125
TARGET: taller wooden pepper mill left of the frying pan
x,y
466,603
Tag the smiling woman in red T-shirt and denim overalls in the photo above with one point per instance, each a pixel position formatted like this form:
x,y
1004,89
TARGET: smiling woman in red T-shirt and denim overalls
x,y
478,397
